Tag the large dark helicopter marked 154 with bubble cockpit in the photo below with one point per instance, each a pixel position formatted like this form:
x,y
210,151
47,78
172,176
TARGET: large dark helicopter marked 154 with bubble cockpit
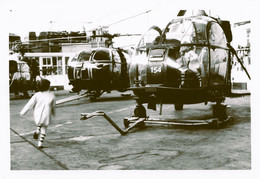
x,y
188,62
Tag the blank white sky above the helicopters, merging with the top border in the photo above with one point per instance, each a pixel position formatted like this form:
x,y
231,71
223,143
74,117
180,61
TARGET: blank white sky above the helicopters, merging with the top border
x,y
23,16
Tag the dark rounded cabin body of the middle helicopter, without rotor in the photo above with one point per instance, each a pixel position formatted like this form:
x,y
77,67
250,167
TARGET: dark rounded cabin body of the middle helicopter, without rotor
x,y
105,69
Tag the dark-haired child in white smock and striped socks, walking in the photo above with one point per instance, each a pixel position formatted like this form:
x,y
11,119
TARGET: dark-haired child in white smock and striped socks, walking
x,y
43,104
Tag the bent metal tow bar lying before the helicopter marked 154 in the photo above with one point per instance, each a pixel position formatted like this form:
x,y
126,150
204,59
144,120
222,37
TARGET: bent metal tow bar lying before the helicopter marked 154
x,y
85,116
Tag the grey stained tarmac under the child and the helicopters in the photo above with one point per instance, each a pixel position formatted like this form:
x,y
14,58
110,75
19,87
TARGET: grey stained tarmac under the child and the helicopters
x,y
93,144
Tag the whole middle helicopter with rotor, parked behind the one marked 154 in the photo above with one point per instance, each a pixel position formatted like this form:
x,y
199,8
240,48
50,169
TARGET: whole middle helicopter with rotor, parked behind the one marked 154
x,y
101,69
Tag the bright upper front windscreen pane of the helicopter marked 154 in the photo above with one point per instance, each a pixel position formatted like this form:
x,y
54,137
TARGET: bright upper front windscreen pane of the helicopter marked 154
x,y
183,31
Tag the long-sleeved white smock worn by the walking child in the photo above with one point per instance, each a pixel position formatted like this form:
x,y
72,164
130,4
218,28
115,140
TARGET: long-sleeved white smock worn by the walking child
x,y
44,105
